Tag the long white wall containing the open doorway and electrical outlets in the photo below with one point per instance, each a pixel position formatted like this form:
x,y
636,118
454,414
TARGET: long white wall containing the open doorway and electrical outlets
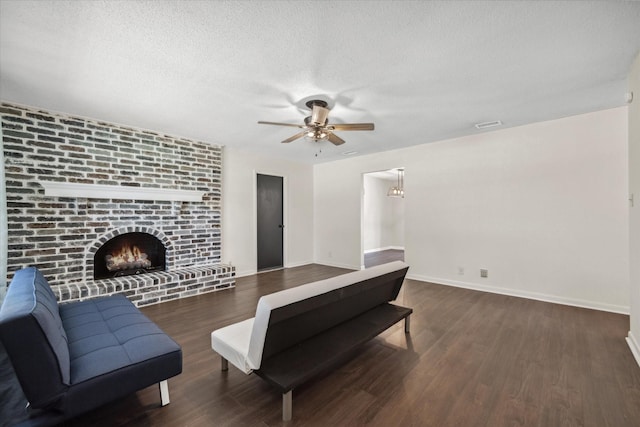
x,y
543,207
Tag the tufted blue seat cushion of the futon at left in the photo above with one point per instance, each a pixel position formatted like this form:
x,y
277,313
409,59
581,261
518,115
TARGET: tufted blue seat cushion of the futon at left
x,y
114,350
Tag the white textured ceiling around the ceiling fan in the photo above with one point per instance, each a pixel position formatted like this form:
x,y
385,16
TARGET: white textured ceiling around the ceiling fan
x,y
421,71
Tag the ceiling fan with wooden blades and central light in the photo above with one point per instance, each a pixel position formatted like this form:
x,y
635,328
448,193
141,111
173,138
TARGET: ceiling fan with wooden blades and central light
x,y
317,126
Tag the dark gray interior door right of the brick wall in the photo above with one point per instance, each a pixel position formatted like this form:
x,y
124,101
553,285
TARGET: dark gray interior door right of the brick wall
x,y
270,222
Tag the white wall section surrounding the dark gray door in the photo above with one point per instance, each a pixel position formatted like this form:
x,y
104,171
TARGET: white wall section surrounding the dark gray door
x,y
239,209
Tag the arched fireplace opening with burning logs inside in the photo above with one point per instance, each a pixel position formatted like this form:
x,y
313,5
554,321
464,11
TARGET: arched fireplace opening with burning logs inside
x,y
127,254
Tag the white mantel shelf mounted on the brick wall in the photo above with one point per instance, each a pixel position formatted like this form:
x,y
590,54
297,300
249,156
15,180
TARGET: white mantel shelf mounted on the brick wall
x,y
98,191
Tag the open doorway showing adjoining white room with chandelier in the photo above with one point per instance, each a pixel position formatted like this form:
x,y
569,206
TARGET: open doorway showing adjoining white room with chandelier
x,y
382,218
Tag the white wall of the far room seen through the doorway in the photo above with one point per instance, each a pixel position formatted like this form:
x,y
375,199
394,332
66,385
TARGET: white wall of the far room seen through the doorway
x,y
383,222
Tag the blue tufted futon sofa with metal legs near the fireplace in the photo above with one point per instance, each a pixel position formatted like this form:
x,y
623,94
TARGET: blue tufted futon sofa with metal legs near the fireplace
x,y
71,358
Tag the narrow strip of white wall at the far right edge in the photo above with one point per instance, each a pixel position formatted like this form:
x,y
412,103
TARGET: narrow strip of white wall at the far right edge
x,y
634,212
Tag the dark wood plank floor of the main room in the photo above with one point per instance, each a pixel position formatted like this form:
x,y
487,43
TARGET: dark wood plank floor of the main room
x,y
472,359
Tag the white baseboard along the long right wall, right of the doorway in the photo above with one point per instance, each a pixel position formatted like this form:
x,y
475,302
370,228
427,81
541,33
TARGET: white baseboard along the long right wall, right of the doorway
x,y
524,294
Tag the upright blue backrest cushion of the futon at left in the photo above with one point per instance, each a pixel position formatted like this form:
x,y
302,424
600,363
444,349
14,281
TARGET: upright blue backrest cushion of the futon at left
x,y
29,295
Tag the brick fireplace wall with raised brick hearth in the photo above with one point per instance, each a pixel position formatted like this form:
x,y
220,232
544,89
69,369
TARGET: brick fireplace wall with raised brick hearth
x,y
59,235
